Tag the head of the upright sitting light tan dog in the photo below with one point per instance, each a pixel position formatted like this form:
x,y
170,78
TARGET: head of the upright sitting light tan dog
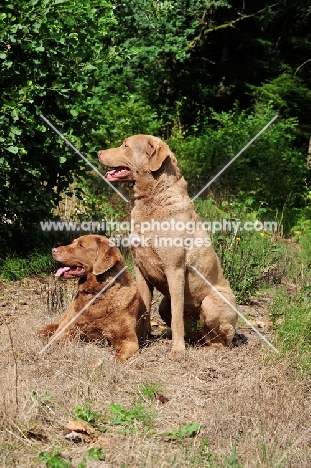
x,y
138,154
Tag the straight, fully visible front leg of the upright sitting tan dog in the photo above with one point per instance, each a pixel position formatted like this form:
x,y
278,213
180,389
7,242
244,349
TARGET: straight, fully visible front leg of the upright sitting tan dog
x,y
176,284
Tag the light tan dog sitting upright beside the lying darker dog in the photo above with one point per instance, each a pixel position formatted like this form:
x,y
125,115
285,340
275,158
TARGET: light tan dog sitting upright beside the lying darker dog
x,y
161,198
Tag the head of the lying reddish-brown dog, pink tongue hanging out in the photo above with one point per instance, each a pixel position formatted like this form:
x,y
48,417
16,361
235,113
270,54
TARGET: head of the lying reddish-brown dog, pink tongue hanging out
x,y
87,254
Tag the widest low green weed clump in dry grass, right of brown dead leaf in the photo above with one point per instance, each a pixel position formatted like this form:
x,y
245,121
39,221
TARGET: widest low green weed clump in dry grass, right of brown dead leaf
x,y
129,418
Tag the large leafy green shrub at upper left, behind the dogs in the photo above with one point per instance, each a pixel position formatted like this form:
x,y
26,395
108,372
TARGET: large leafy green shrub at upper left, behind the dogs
x,y
55,61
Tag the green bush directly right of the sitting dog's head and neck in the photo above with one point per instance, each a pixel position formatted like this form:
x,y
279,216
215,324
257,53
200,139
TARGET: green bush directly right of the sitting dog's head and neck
x,y
272,171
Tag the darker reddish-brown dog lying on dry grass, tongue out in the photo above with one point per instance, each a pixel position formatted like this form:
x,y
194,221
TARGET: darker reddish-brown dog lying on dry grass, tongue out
x,y
118,313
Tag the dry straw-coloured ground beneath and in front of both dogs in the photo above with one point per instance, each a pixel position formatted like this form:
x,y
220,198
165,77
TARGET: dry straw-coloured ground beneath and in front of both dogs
x,y
253,410
